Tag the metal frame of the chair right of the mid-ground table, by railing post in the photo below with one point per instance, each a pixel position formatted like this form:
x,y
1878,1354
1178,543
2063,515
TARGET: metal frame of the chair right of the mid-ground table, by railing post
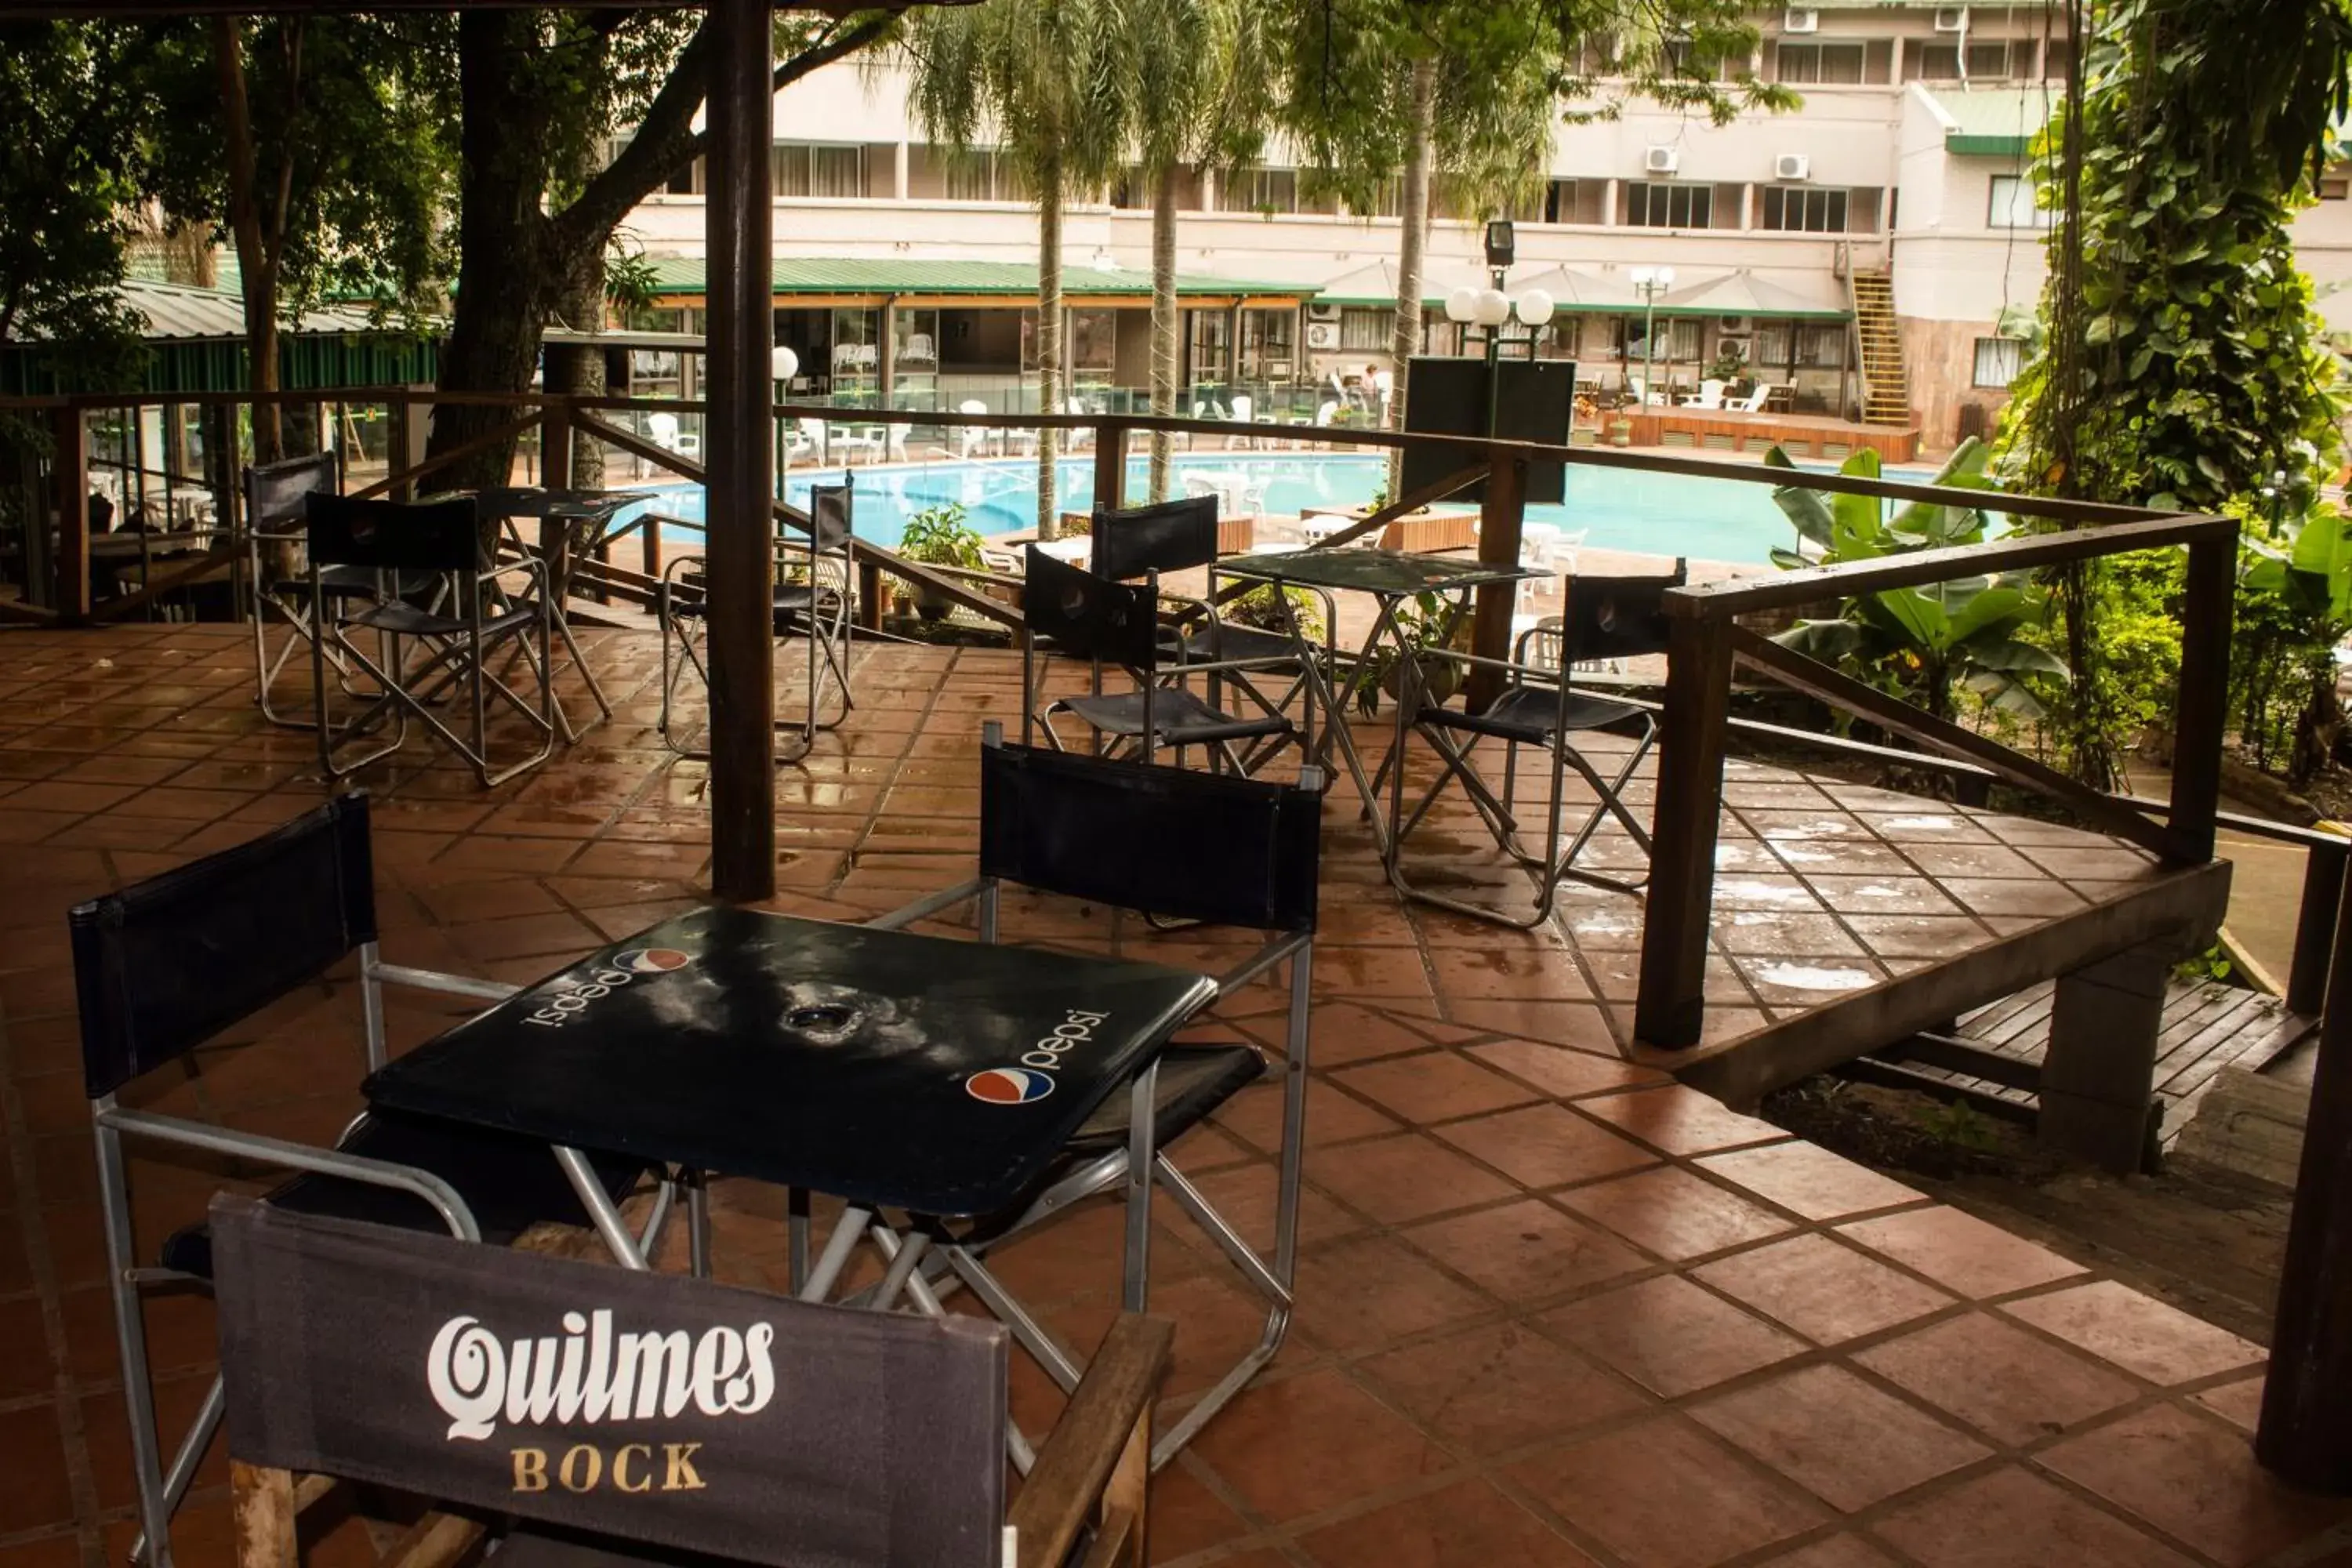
x,y
1575,713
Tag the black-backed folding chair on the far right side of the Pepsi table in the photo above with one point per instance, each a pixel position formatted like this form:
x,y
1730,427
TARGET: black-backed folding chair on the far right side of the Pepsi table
x,y
1203,847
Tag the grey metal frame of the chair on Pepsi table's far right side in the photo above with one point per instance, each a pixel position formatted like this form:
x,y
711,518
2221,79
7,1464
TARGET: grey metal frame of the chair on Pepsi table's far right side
x,y
963,1261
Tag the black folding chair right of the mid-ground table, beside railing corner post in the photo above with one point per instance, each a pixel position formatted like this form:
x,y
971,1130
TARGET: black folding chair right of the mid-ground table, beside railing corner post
x,y
1603,619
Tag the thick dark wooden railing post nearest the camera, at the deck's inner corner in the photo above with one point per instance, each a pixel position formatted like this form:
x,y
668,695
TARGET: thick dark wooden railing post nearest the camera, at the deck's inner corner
x,y
1671,1005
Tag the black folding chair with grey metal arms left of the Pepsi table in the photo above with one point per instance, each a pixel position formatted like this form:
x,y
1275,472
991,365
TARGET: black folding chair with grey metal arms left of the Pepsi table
x,y
182,958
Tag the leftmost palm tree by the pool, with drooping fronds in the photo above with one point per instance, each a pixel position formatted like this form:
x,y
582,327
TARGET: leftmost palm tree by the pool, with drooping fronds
x,y
1048,86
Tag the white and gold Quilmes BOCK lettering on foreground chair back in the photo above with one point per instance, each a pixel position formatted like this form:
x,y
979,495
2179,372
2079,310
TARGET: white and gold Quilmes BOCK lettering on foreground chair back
x,y
589,1376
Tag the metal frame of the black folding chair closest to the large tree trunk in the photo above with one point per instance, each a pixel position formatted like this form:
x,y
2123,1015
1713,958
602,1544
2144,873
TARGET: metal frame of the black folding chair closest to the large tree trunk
x,y
455,650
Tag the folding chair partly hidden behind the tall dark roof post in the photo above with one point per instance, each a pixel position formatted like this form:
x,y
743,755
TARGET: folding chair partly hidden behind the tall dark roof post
x,y
815,598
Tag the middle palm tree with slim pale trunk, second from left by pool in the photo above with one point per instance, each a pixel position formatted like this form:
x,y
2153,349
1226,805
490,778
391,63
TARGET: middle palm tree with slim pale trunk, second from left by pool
x,y
1203,98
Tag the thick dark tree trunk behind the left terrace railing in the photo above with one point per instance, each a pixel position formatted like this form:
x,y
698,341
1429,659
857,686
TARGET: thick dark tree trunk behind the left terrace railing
x,y
507,283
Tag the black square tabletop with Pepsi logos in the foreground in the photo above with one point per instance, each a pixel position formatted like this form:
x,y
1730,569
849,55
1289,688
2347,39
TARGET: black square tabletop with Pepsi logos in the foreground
x,y
878,1066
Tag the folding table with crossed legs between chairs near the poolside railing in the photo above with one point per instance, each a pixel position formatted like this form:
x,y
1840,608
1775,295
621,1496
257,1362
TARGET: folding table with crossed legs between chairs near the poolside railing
x,y
1391,577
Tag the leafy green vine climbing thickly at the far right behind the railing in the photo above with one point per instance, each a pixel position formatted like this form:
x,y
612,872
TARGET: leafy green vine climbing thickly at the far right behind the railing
x,y
2181,361
